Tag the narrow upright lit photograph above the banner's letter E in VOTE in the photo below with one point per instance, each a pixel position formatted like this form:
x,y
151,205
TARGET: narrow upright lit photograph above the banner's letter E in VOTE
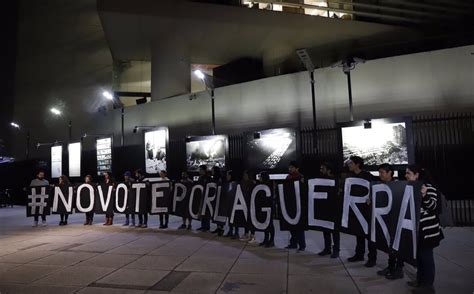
x,y
155,151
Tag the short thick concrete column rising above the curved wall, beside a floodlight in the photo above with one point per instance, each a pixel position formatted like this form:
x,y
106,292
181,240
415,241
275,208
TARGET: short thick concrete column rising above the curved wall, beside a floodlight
x,y
170,69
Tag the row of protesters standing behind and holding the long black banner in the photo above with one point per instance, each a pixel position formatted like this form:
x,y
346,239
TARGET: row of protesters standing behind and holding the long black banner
x,y
429,235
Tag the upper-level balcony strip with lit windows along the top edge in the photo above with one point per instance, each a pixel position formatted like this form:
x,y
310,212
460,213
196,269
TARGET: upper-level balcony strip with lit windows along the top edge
x,y
389,11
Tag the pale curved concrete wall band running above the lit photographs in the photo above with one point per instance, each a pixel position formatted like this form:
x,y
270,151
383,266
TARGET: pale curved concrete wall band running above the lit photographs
x,y
437,81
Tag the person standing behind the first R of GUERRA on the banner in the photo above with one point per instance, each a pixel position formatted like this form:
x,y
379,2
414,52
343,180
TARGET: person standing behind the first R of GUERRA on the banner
x,y
356,165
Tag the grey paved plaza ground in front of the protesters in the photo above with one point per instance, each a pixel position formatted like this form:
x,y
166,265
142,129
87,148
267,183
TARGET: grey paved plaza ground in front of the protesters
x,y
117,259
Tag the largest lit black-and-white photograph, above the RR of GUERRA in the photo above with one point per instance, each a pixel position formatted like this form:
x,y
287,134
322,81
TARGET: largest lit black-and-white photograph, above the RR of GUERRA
x,y
381,143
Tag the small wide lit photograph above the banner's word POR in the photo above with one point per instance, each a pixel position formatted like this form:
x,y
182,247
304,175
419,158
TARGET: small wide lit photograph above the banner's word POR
x,y
206,150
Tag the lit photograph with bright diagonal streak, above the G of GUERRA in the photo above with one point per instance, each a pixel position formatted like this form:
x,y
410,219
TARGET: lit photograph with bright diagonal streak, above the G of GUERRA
x,y
271,149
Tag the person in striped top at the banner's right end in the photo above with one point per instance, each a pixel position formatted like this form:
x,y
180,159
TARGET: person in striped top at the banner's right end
x,y
429,232
